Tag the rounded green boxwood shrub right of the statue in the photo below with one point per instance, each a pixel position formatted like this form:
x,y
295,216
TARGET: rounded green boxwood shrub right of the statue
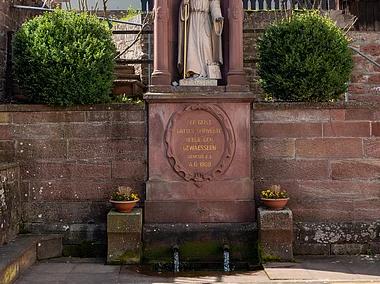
x,y
304,58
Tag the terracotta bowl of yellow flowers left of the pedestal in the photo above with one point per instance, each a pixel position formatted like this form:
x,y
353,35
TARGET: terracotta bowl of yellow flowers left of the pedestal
x,y
123,199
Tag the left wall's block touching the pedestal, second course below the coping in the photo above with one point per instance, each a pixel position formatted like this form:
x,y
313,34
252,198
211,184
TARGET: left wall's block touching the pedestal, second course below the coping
x,y
107,130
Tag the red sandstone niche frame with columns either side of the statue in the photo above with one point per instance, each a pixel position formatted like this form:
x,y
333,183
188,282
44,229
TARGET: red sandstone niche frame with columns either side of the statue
x,y
166,44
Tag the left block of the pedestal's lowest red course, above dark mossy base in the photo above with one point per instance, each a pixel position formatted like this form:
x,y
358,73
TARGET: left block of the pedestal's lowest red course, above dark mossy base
x,y
172,212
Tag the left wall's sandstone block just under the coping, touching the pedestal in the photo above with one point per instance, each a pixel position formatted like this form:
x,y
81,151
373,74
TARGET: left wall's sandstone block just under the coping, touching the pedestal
x,y
110,116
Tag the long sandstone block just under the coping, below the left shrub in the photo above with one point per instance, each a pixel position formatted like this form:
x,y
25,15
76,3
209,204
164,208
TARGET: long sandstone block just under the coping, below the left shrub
x,y
46,117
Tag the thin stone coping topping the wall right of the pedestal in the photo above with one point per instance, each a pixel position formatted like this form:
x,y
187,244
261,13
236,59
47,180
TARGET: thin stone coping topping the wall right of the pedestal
x,y
318,105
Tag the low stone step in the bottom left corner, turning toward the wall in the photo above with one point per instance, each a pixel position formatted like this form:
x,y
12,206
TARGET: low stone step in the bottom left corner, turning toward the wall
x,y
20,253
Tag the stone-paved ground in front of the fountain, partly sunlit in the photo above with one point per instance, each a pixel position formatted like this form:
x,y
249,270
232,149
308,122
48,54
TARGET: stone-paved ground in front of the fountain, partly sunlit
x,y
306,269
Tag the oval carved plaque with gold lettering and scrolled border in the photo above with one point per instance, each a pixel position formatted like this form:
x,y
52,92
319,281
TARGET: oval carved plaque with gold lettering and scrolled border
x,y
200,142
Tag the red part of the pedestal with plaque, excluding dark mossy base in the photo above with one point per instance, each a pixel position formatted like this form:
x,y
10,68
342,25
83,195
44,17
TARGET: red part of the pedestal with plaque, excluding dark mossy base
x,y
199,159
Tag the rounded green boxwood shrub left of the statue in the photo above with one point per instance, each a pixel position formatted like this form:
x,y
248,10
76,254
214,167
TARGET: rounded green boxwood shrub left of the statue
x,y
64,58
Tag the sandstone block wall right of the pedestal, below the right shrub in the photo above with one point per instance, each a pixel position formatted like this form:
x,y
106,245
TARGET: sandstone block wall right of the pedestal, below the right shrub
x,y
327,157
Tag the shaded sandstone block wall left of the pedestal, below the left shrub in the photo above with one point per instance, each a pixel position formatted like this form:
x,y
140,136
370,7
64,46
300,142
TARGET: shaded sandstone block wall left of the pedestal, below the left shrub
x,y
70,162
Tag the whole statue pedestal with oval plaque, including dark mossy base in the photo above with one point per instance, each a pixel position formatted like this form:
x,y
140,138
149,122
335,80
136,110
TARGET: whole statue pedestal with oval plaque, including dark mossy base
x,y
200,190
